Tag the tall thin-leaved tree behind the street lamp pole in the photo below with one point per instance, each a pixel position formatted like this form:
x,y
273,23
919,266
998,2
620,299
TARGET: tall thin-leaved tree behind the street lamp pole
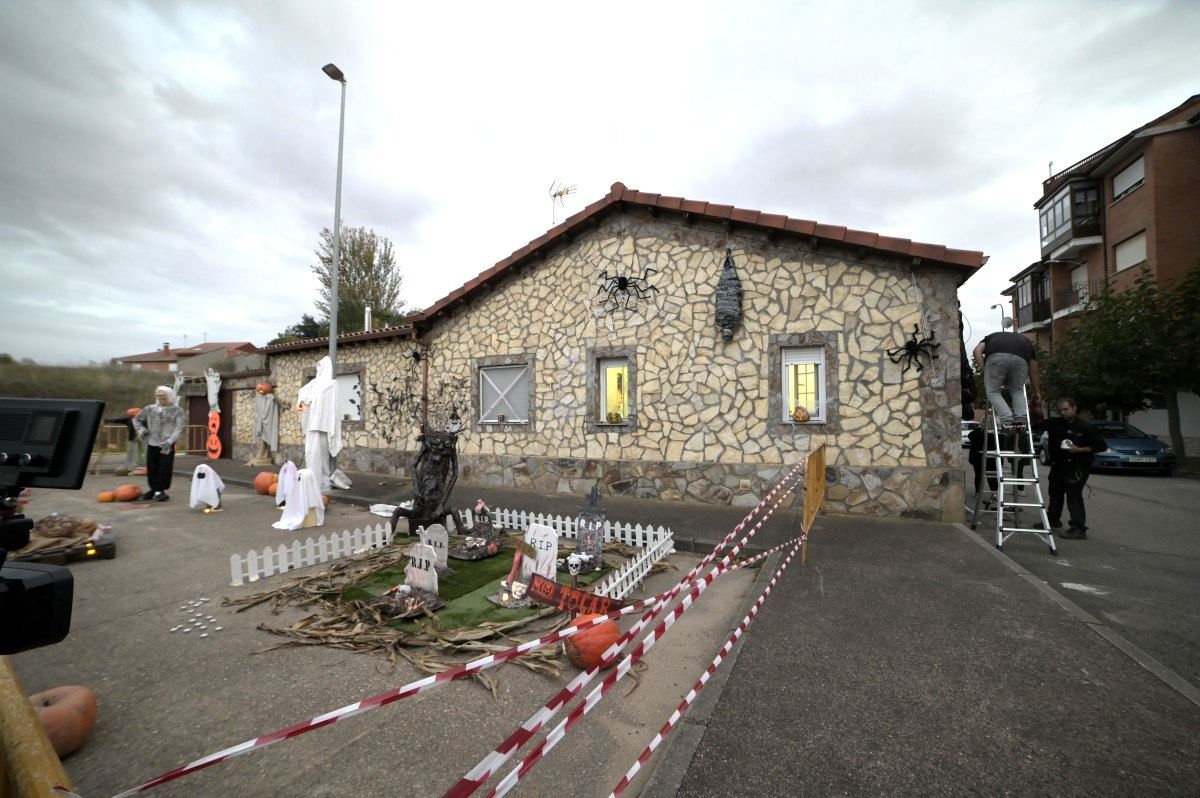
x,y
368,277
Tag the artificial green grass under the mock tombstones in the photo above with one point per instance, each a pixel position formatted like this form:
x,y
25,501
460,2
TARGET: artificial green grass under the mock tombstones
x,y
466,592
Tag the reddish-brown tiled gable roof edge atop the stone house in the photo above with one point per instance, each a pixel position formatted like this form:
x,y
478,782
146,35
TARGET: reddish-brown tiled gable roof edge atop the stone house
x,y
967,260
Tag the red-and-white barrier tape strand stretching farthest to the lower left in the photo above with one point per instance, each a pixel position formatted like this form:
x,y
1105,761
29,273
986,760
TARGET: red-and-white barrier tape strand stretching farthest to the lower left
x,y
470,669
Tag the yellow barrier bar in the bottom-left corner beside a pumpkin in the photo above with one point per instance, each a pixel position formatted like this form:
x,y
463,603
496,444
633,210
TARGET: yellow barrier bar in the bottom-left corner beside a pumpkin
x,y
28,766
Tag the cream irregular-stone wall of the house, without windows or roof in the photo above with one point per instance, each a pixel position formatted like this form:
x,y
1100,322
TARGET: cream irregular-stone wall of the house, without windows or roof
x,y
709,424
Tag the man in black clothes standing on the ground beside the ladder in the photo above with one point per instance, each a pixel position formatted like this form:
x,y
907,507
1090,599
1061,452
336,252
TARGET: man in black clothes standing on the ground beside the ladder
x,y
1071,447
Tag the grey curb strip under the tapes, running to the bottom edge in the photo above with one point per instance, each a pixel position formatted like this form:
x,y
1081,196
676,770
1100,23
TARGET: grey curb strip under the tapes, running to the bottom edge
x,y
675,759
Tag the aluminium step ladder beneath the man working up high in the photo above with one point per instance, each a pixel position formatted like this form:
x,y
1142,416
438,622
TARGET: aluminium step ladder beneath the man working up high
x,y
1009,455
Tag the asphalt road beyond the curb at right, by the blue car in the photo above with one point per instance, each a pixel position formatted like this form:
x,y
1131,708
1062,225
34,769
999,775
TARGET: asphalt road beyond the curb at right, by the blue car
x,y
1138,571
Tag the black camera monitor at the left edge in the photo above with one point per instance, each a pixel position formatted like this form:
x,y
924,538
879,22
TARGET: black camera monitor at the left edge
x,y
47,443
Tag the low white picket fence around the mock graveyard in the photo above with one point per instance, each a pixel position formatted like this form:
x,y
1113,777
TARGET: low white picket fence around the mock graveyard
x,y
655,542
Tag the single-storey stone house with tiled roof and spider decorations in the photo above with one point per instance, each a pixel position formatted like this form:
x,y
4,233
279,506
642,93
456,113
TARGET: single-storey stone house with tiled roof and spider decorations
x,y
593,355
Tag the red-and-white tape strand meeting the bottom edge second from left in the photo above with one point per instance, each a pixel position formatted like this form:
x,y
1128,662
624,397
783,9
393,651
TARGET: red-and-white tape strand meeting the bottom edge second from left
x,y
526,731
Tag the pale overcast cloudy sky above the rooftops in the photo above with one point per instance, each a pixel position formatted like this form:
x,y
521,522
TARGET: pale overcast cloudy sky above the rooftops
x,y
167,166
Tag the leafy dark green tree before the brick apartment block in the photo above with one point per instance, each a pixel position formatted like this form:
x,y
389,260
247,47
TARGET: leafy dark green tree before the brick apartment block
x,y
1132,351
